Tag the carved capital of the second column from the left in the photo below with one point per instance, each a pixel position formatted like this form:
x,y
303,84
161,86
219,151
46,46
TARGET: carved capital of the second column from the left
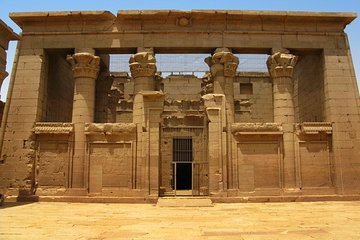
x,y
142,64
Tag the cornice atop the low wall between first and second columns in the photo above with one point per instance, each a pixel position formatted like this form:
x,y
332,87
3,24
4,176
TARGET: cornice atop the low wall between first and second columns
x,y
110,128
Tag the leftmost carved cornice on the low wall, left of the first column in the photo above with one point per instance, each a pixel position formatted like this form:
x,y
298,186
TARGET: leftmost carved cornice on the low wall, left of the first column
x,y
53,128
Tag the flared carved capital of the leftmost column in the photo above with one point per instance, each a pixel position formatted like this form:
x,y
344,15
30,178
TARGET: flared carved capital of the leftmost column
x,y
85,65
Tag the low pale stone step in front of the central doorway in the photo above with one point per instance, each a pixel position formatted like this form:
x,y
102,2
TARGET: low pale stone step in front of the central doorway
x,y
184,202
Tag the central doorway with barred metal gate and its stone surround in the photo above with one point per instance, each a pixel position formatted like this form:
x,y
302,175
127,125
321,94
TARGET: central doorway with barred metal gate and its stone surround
x,y
184,166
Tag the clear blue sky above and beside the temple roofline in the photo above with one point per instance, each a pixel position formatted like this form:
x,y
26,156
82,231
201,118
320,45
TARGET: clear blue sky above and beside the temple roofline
x,y
353,30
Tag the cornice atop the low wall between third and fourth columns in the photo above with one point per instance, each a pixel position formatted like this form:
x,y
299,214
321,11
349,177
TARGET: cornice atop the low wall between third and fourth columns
x,y
256,128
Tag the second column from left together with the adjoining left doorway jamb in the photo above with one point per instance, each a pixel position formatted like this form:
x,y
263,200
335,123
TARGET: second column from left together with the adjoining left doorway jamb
x,y
148,106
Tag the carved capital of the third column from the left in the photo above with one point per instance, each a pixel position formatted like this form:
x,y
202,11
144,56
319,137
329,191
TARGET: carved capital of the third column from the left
x,y
222,63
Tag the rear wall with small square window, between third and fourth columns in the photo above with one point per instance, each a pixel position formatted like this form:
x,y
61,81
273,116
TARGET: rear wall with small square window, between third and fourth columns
x,y
253,98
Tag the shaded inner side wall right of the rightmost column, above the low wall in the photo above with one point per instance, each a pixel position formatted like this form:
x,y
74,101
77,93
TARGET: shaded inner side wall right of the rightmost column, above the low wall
x,y
309,89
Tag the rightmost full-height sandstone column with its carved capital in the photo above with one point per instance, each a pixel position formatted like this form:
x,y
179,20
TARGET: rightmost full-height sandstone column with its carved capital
x,y
281,68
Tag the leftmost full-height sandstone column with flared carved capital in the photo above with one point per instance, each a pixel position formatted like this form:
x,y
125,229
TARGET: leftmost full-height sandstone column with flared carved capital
x,y
85,68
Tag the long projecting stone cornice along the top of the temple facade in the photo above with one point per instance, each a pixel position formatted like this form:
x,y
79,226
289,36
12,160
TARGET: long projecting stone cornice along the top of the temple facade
x,y
282,18
